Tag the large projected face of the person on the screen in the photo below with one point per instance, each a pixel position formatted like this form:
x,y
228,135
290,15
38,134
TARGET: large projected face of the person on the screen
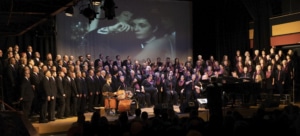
x,y
142,28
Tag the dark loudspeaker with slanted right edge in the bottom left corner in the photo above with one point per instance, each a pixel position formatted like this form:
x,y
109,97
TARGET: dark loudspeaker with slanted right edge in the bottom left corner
x,y
14,123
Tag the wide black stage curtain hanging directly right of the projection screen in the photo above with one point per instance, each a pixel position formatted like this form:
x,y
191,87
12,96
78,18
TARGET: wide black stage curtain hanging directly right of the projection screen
x,y
223,30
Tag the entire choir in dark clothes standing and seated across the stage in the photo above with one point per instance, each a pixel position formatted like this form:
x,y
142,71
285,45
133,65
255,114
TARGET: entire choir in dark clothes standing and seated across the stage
x,y
60,86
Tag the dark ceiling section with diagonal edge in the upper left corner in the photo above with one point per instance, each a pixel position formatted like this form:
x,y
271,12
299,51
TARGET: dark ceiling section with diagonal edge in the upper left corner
x,y
19,16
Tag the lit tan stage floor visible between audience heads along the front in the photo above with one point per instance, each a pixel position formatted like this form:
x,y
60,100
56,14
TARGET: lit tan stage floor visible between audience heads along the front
x,y
60,126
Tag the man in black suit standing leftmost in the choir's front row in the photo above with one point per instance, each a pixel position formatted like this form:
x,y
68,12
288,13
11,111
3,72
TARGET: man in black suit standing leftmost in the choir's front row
x,y
27,94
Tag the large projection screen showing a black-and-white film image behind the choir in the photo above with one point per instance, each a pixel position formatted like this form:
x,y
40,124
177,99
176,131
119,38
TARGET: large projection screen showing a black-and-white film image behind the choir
x,y
140,29
